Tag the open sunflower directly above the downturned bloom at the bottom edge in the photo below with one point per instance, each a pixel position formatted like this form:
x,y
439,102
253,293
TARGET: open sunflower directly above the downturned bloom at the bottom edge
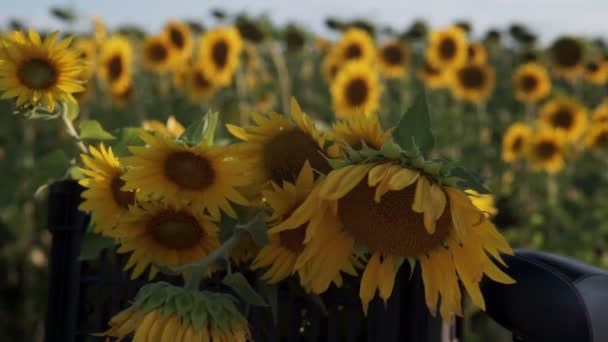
x,y
169,233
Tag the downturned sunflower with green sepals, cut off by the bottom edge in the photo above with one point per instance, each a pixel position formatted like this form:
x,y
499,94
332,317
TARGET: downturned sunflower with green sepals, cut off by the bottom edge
x,y
163,312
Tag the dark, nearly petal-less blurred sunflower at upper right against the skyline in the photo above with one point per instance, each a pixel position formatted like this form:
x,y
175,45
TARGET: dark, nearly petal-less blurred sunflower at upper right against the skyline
x,y
567,55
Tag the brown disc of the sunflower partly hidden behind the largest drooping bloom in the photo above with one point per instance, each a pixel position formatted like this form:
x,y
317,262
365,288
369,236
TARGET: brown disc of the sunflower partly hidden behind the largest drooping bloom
x,y
285,155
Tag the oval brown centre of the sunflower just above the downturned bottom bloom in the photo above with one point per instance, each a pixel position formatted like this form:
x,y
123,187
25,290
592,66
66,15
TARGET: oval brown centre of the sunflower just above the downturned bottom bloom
x,y
176,230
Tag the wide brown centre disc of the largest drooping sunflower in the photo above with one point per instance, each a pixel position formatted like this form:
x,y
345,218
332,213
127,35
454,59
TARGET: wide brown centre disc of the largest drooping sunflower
x,y
390,226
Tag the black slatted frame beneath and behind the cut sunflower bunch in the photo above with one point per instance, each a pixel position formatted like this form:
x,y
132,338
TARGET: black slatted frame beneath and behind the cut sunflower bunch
x,y
83,296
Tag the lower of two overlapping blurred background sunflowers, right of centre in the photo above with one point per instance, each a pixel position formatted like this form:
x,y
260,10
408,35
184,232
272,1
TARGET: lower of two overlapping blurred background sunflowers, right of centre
x,y
472,82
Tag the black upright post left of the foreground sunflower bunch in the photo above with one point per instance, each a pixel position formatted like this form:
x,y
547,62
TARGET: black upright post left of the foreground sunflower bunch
x,y
67,225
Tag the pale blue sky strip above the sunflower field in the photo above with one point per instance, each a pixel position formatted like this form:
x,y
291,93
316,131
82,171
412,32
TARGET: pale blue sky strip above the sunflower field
x,y
547,17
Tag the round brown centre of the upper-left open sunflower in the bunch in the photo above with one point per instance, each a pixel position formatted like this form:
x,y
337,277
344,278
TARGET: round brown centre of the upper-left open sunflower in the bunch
x,y
189,170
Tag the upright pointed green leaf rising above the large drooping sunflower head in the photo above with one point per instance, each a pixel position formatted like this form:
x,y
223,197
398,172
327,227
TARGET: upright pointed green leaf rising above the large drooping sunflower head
x,y
414,128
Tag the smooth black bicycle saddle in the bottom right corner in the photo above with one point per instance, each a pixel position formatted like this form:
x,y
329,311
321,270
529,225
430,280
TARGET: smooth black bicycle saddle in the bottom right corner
x,y
555,299
